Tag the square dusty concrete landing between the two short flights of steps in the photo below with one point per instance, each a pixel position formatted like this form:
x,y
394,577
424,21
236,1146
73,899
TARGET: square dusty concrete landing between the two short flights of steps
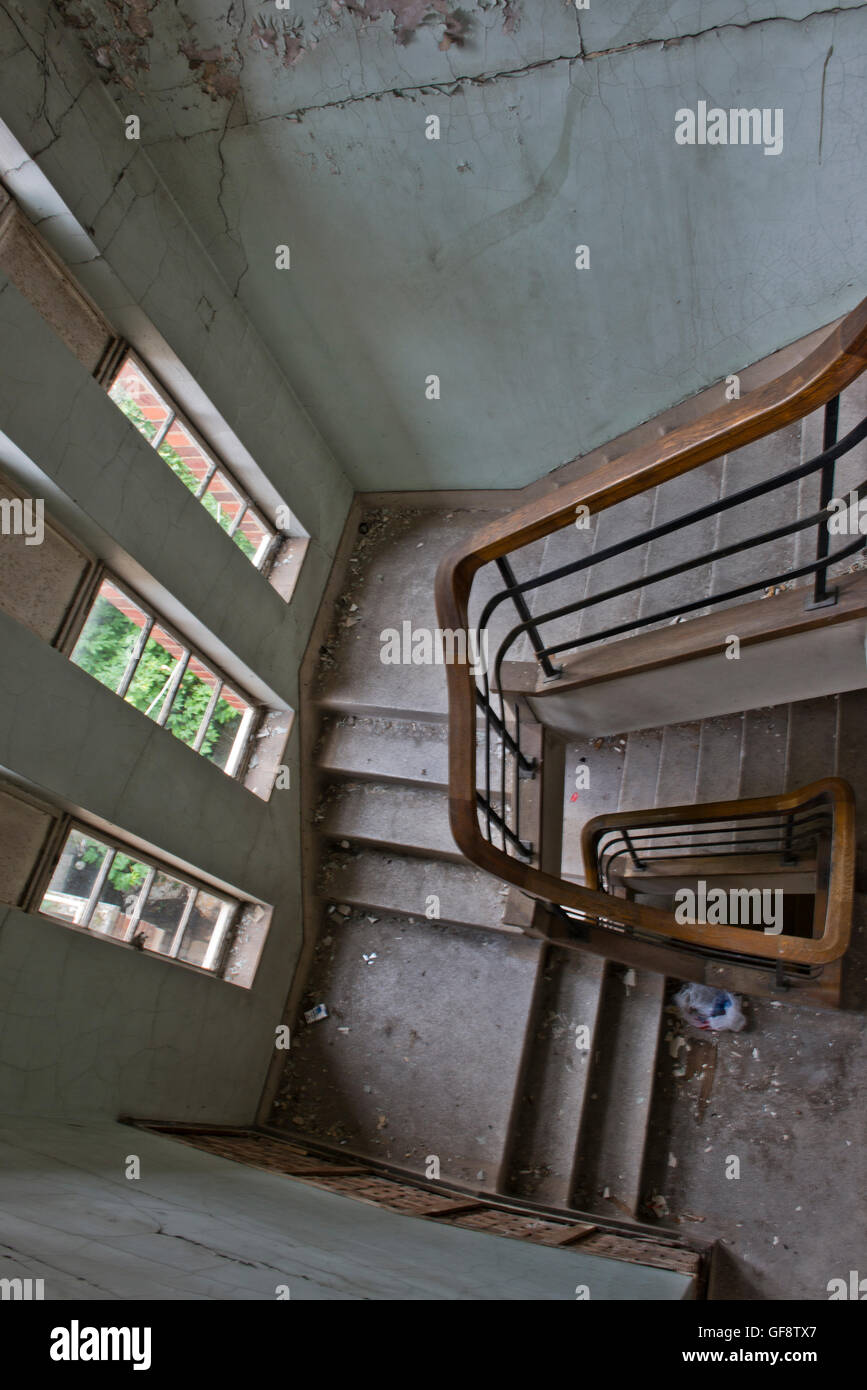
x,y
433,1040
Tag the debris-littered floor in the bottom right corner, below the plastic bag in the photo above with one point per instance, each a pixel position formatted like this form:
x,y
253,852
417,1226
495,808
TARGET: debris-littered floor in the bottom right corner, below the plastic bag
x,y
787,1099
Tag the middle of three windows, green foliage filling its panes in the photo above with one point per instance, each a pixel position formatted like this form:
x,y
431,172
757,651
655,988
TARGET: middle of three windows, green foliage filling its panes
x,y
127,648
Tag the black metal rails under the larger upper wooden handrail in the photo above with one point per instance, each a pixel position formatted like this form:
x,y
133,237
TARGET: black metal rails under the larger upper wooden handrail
x,y
501,728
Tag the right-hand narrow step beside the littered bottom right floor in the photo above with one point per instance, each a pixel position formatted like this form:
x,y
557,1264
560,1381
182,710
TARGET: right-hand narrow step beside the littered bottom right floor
x,y
611,1150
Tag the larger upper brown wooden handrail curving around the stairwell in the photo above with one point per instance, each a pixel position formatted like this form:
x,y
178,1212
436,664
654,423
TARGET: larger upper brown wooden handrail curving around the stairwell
x,y
839,361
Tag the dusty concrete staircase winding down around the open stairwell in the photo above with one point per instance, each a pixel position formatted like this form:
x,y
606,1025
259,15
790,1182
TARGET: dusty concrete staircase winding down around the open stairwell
x,y
525,1068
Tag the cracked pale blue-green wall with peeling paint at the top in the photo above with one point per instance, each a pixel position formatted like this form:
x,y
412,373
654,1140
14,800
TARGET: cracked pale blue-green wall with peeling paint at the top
x,y
456,258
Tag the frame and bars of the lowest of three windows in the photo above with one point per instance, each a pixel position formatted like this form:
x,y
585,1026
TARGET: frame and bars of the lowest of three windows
x,y
67,825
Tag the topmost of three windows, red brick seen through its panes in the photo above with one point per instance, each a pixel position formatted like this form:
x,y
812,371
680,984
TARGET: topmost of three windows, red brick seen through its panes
x,y
156,418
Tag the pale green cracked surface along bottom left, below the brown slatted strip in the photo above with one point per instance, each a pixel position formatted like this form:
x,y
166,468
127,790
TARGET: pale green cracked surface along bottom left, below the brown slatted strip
x,y
199,1228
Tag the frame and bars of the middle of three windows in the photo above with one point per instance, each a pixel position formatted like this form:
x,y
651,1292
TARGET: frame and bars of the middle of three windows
x,y
251,721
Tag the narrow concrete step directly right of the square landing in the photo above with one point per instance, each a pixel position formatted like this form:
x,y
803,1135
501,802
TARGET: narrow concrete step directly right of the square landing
x,y
554,1082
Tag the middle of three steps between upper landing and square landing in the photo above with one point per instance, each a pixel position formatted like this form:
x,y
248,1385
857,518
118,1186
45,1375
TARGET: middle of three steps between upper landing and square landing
x,y
390,815
